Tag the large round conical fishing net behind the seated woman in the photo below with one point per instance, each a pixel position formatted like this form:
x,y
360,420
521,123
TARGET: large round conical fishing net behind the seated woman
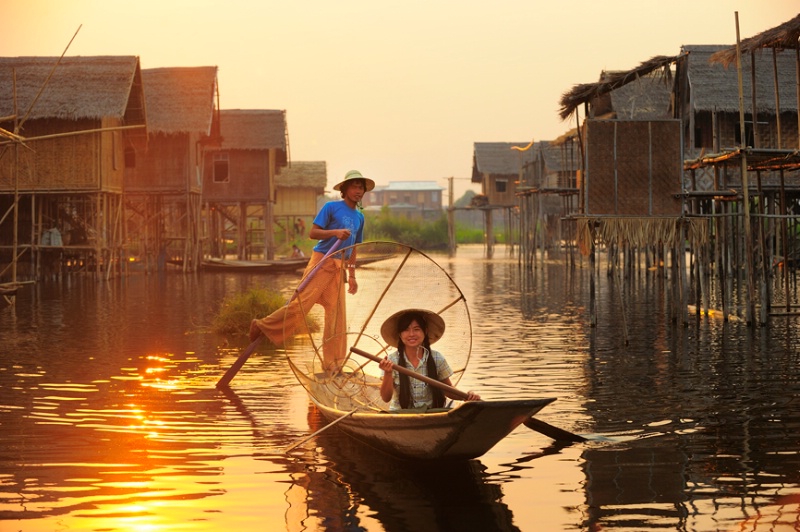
x,y
324,321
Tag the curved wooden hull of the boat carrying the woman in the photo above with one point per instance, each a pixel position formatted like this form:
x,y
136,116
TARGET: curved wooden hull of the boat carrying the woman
x,y
461,433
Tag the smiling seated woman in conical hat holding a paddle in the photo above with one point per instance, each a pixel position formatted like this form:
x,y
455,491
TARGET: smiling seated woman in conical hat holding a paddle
x,y
412,332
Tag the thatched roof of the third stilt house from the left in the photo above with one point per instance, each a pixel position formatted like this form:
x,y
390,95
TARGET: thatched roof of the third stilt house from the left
x,y
253,129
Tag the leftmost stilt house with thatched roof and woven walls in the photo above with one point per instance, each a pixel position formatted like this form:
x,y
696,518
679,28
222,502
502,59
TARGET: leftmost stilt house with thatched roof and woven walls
x,y
65,126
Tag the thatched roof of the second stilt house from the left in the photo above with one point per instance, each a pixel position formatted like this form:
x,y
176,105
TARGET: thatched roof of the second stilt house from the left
x,y
180,100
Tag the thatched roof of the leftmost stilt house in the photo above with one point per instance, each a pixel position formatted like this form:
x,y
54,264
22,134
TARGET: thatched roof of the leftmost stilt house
x,y
80,87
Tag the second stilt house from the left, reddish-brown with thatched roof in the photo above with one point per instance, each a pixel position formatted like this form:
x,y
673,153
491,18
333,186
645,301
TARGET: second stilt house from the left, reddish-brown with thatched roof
x,y
163,183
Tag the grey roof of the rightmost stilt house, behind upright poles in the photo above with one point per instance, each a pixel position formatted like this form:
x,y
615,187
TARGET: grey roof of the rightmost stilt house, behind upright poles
x,y
714,87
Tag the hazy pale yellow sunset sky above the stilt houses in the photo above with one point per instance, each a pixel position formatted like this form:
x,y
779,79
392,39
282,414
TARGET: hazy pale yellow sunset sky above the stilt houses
x,y
397,89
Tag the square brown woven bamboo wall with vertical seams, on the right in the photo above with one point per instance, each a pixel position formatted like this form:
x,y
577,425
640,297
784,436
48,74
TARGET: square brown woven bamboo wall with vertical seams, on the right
x,y
633,168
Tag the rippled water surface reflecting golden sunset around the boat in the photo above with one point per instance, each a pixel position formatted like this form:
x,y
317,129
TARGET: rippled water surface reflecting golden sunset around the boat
x,y
109,419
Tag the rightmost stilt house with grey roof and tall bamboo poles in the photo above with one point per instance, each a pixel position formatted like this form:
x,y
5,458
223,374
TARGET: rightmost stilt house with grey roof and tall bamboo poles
x,y
741,106
